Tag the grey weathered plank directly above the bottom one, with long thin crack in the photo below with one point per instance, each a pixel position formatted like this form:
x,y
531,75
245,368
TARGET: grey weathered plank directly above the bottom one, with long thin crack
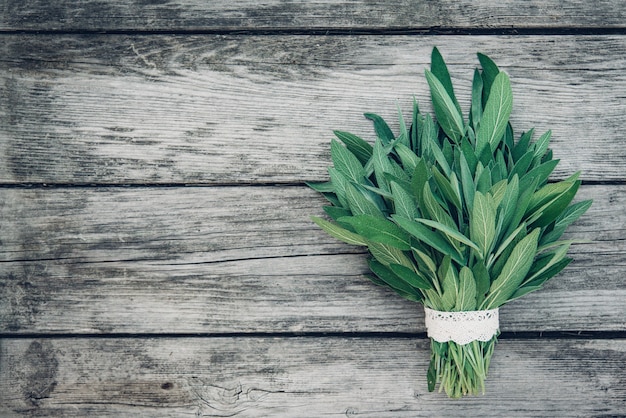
x,y
246,259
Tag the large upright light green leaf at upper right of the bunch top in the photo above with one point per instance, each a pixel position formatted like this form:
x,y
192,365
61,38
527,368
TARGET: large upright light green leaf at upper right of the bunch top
x,y
495,115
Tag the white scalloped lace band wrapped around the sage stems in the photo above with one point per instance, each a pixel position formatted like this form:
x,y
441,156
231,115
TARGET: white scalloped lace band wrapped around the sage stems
x,y
462,327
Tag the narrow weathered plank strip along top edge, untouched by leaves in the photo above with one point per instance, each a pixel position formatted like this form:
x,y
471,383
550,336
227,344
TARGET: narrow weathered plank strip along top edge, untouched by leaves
x,y
274,14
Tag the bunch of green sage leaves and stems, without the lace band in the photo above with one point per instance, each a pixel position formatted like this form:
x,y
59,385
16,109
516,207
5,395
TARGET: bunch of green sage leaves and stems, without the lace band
x,y
455,213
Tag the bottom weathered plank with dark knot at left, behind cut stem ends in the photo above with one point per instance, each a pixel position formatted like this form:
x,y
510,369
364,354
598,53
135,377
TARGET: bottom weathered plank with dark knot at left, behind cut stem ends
x,y
253,377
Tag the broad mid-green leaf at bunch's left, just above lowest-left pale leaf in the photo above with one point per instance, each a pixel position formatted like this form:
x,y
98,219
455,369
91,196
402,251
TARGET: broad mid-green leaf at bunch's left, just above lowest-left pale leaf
x,y
379,230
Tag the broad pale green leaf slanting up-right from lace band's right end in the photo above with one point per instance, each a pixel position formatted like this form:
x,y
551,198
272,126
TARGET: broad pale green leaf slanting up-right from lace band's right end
x,y
513,272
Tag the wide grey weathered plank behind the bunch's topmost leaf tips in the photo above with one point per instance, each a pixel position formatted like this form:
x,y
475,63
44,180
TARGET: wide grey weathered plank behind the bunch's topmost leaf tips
x,y
230,109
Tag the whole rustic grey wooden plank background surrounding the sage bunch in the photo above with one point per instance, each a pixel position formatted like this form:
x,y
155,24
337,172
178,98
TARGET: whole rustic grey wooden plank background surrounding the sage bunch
x,y
157,257
